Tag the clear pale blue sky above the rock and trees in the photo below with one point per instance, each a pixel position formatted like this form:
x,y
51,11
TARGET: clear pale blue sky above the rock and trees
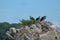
x,y
14,10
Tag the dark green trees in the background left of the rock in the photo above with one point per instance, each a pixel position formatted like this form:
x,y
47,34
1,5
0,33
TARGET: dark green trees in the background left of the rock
x,y
4,26
